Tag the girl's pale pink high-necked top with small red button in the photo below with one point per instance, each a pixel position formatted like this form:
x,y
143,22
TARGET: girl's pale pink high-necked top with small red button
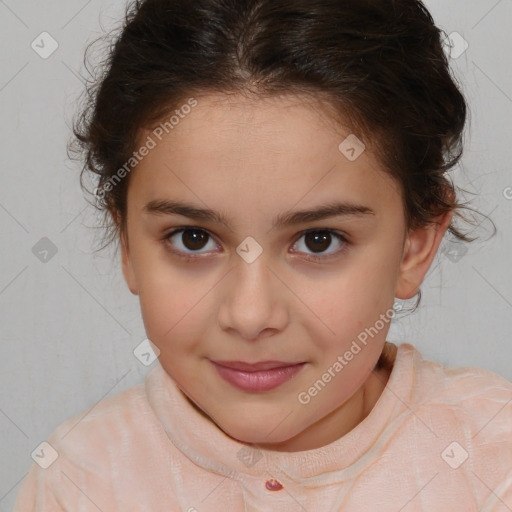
x,y
438,439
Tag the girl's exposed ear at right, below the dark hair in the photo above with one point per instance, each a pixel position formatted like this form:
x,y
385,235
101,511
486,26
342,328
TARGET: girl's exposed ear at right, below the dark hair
x,y
420,249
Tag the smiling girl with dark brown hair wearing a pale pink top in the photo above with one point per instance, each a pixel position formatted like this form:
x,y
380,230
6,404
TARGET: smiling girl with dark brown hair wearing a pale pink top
x,y
275,172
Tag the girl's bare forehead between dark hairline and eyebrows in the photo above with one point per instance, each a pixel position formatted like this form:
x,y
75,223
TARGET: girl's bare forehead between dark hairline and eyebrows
x,y
254,151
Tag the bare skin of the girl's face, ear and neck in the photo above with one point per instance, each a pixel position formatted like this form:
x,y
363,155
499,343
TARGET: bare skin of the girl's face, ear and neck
x,y
252,159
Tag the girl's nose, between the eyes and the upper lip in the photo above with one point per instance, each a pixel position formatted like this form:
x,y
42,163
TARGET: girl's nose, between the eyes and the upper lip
x,y
253,301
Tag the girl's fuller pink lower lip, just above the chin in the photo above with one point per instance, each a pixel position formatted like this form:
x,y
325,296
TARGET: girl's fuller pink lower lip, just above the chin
x,y
263,380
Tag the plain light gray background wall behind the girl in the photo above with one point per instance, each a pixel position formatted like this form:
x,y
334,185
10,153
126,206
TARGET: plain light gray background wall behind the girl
x,y
69,325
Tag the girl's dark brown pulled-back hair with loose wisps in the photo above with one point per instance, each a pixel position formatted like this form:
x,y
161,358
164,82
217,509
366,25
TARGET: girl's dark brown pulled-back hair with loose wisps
x,y
379,65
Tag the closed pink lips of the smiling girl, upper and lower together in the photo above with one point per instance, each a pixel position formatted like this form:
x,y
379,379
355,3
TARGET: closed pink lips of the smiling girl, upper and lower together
x,y
257,377
